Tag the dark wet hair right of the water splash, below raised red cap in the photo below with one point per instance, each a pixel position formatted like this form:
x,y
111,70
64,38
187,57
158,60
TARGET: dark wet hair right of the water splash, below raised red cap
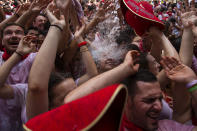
x,y
127,35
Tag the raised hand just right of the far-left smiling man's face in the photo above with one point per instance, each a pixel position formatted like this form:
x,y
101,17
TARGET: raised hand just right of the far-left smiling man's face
x,y
26,45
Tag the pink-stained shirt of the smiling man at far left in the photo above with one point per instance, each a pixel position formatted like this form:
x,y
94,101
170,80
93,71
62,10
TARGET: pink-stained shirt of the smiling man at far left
x,y
20,72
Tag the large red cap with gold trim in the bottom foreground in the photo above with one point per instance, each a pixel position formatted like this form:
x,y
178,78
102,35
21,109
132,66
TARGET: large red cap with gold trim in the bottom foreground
x,y
101,110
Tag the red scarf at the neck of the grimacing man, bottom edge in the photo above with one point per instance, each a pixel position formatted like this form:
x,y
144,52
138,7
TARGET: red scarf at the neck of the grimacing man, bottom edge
x,y
126,125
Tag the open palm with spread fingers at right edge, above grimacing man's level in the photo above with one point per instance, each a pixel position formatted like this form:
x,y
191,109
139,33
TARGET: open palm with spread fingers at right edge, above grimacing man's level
x,y
176,71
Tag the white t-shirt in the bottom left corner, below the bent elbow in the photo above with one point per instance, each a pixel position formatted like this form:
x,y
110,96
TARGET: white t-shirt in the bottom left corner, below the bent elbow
x,y
13,111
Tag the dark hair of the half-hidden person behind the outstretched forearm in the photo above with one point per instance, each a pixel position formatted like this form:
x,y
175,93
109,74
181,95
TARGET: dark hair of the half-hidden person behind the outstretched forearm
x,y
55,79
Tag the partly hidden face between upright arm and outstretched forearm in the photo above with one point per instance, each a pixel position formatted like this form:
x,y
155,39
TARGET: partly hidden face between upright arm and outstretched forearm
x,y
61,90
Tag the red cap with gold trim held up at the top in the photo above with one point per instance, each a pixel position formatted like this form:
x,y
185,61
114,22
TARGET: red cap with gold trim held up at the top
x,y
139,16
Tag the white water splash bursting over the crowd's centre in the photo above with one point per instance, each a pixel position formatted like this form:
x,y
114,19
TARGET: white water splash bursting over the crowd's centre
x,y
104,46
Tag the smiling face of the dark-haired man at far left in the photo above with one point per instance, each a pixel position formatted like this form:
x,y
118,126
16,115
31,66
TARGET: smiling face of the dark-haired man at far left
x,y
11,37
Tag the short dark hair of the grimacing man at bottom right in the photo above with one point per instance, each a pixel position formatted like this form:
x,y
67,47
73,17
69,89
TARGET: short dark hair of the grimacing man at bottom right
x,y
131,81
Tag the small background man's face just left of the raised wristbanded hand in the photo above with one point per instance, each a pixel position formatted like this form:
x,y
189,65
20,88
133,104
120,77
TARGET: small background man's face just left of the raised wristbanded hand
x,y
40,22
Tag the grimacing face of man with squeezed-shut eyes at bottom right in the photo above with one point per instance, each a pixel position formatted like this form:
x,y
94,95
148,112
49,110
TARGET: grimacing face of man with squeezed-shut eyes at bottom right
x,y
146,105
